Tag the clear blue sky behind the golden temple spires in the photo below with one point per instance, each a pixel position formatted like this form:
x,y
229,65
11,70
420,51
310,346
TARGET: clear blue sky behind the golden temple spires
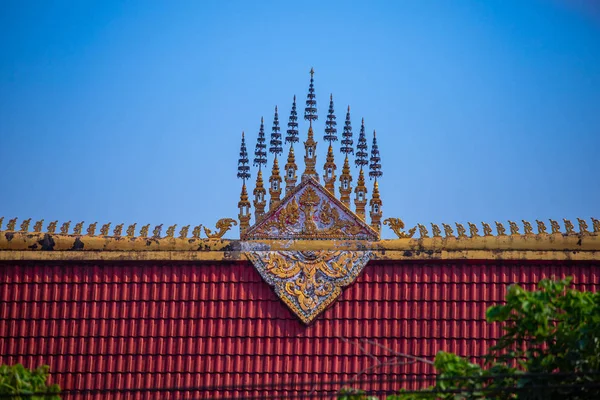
x,y
132,111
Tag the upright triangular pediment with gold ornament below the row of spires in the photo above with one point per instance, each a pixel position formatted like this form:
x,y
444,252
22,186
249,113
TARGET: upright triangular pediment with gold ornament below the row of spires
x,y
310,211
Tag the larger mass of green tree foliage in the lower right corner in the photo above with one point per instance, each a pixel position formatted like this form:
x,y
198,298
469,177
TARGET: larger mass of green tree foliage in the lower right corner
x,y
550,350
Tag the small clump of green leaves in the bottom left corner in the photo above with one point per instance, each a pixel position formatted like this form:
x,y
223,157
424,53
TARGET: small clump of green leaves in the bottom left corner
x,y
18,380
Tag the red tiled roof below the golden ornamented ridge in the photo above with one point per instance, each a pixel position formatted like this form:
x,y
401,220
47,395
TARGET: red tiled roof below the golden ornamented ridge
x,y
134,325
